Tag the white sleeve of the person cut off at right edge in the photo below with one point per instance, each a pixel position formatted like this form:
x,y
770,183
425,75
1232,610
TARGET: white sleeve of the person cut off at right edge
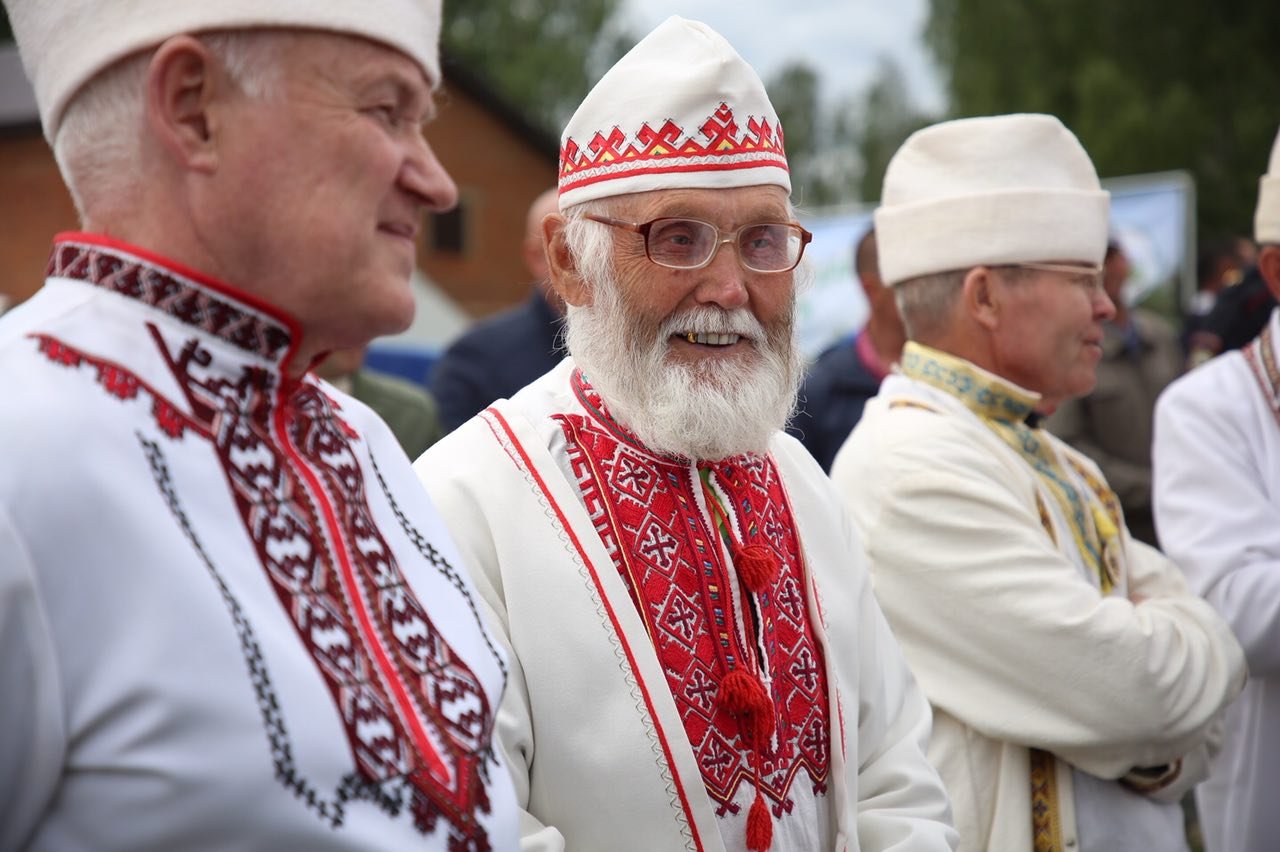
x,y
1217,514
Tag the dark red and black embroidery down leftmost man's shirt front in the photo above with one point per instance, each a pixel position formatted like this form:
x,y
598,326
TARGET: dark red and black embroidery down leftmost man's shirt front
x,y
418,721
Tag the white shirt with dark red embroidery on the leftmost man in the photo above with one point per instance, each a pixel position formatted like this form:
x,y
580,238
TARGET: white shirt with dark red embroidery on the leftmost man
x,y
230,617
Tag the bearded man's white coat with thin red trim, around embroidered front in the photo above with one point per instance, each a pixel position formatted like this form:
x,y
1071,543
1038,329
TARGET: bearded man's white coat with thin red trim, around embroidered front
x,y
589,726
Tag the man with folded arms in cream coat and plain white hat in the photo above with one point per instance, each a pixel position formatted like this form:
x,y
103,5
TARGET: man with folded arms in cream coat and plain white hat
x,y
1076,681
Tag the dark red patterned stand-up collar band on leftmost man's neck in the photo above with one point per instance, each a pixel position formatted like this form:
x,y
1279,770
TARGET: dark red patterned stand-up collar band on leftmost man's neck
x,y
163,290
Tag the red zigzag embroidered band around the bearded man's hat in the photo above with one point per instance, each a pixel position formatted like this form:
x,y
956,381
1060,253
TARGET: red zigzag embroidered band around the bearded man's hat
x,y
720,144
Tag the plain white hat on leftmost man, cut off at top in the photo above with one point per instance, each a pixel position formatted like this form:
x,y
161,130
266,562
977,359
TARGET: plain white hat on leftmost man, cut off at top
x,y
66,43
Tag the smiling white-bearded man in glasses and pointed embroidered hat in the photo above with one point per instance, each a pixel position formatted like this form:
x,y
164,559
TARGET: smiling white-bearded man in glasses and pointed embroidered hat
x,y
698,662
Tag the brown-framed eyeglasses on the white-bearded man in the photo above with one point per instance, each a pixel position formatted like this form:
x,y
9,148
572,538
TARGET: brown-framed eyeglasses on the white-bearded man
x,y
692,244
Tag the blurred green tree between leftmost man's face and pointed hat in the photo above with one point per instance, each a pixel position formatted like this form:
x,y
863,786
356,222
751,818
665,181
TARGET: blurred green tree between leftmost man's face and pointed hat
x,y
543,58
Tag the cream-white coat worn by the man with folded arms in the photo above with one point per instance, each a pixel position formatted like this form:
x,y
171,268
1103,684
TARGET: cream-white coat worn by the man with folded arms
x,y
1035,675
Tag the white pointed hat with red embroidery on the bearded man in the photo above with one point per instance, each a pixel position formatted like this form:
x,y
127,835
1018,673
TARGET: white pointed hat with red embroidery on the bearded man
x,y
680,111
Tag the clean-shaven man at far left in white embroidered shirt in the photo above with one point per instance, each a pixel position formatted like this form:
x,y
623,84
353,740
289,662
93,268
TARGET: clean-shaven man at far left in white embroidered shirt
x,y
230,617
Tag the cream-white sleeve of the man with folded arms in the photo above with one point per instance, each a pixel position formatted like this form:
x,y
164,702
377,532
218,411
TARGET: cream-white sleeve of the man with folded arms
x,y
1005,635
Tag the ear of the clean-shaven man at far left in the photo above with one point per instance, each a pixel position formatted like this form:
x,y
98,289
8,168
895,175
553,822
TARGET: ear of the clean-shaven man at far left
x,y
182,85
